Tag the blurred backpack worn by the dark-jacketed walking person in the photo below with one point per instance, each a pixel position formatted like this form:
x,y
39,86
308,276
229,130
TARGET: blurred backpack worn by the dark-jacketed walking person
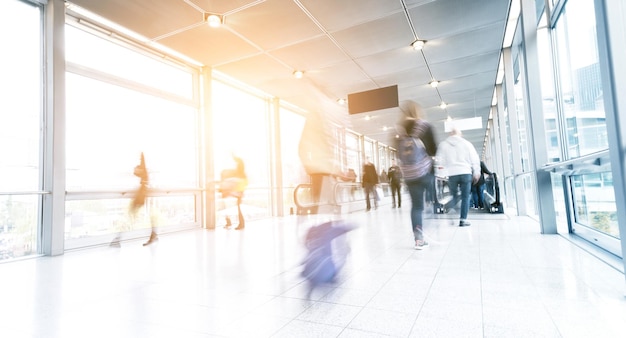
x,y
414,160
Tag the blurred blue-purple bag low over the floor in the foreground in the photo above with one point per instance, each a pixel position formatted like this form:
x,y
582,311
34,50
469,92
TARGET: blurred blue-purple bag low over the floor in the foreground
x,y
324,258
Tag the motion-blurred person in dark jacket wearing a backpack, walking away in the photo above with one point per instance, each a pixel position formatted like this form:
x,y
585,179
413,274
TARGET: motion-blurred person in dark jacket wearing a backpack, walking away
x,y
415,146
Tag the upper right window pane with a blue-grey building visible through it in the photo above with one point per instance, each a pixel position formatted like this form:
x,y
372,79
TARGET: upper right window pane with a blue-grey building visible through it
x,y
581,83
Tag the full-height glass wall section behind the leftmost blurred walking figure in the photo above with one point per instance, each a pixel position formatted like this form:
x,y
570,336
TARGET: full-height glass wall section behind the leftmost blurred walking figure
x,y
115,112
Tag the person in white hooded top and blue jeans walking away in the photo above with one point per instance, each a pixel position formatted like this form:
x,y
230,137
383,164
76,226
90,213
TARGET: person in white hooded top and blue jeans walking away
x,y
459,159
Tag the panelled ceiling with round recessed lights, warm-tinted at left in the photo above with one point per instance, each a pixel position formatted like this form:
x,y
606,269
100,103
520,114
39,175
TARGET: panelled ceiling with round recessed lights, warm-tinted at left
x,y
343,46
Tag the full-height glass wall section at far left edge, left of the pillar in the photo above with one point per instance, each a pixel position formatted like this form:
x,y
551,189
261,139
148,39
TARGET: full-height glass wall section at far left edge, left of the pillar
x,y
20,129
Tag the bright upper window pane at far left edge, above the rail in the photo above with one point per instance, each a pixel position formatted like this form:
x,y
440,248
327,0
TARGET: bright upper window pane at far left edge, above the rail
x,y
20,97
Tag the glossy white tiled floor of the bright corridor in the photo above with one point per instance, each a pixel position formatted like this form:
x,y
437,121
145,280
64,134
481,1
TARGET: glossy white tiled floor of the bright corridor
x,y
496,278
